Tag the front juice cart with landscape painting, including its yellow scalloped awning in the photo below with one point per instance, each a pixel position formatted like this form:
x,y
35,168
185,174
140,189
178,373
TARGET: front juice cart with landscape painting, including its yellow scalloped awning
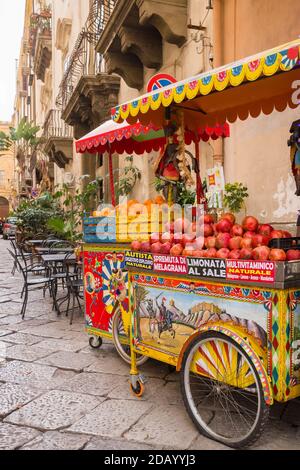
x,y
229,326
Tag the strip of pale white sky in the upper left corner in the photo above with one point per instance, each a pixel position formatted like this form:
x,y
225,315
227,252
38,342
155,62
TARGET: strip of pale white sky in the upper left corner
x,y
11,30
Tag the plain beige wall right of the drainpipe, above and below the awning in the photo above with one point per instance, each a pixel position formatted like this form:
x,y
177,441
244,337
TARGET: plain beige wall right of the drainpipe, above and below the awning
x,y
257,152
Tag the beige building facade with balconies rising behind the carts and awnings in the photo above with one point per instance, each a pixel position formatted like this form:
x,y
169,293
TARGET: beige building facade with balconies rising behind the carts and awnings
x,y
98,53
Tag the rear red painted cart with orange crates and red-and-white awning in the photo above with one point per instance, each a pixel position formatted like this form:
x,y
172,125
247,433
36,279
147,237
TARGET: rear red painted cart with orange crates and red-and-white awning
x,y
106,236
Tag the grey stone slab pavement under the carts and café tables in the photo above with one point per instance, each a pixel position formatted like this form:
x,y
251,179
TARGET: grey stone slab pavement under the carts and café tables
x,y
57,393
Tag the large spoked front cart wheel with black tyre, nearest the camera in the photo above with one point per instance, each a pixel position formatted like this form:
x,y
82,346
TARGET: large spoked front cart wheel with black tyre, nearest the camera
x,y
222,391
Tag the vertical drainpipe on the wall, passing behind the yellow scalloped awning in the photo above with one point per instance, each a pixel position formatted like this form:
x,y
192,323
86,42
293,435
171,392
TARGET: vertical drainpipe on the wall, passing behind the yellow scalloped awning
x,y
218,51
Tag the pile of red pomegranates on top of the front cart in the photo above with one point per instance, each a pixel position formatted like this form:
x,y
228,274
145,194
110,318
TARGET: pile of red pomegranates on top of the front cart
x,y
225,239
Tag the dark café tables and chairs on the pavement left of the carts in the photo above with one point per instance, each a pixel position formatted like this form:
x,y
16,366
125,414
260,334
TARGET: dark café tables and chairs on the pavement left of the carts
x,y
52,266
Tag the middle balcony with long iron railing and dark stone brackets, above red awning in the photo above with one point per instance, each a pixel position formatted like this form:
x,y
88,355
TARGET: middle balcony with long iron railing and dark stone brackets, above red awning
x,y
87,92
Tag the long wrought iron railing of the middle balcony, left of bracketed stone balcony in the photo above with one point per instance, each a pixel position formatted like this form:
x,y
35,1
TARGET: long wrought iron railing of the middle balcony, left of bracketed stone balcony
x,y
84,60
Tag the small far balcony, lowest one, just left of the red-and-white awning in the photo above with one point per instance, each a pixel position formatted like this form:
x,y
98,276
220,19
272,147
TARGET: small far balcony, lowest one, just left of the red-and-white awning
x,y
58,139
